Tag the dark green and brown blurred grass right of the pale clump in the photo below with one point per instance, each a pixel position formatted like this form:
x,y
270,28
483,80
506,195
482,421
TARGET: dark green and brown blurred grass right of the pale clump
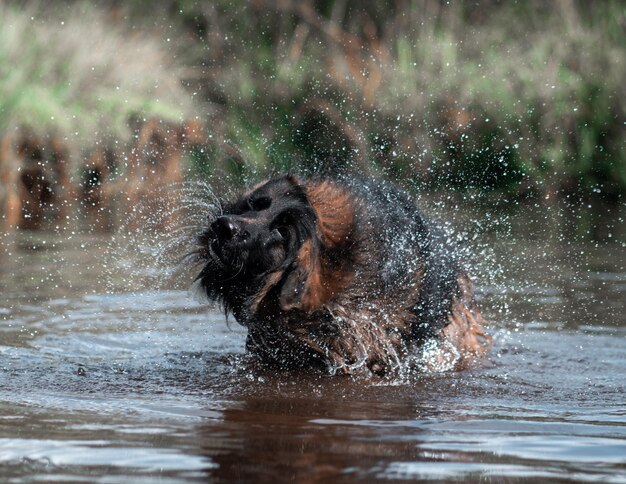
x,y
525,98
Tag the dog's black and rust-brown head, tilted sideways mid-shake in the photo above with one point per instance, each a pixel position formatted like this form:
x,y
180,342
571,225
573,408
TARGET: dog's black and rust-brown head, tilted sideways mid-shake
x,y
278,246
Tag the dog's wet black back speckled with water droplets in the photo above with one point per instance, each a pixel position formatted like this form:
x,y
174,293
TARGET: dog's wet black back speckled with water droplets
x,y
410,248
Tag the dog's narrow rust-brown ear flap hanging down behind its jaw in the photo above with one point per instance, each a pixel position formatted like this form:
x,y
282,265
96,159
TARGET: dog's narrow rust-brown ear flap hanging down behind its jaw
x,y
302,287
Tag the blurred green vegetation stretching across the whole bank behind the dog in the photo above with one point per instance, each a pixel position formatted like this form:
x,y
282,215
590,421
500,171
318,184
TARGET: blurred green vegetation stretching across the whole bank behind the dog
x,y
526,98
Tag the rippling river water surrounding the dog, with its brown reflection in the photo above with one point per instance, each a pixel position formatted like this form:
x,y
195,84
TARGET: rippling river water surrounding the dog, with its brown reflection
x,y
98,384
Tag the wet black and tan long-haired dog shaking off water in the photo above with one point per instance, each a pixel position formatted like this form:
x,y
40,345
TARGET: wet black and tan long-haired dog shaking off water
x,y
343,276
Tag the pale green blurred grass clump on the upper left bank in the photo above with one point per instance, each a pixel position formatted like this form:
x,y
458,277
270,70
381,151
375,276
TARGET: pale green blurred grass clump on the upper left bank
x,y
73,71
